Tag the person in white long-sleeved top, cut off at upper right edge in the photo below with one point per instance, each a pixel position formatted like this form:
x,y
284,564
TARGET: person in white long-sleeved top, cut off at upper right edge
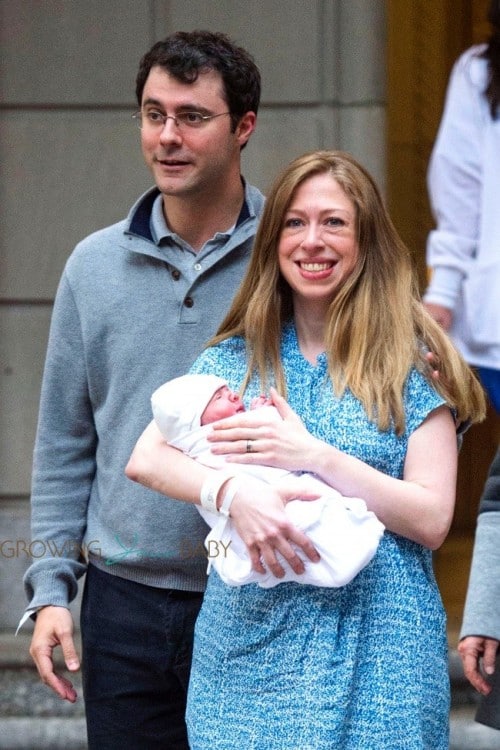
x,y
463,251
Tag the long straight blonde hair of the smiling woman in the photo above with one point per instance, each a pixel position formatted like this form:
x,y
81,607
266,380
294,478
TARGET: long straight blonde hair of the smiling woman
x,y
376,327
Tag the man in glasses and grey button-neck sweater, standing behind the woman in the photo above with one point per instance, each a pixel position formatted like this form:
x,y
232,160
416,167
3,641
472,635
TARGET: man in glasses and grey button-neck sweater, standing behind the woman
x,y
135,304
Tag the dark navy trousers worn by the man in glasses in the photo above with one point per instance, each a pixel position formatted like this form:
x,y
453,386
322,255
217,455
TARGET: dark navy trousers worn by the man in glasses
x,y
137,646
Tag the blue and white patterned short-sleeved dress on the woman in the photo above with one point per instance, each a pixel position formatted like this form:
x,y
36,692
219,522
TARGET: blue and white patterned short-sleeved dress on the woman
x,y
295,667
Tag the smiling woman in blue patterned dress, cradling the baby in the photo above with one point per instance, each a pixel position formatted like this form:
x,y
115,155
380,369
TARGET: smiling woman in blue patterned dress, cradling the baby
x,y
328,314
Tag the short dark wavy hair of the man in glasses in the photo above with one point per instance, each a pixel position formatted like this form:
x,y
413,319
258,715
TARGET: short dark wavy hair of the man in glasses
x,y
186,54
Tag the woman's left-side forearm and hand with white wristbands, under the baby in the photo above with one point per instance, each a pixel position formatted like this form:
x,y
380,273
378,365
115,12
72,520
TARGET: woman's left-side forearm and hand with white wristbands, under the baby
x,y
257,509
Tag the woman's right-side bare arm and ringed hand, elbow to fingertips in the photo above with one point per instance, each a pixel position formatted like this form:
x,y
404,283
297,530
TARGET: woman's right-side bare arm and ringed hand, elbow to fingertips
x,y
419,506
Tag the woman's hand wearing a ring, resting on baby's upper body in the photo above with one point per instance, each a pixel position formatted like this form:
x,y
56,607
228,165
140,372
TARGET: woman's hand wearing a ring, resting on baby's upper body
x,y
284,443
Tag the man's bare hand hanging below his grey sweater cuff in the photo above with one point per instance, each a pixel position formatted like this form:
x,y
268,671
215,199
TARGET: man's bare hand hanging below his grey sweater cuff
x,y
54,627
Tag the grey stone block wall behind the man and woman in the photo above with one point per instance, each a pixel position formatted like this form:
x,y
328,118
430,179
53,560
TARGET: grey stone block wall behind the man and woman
x,y
71,161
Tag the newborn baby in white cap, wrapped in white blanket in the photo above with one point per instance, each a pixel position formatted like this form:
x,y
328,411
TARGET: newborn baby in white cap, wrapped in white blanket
x,y
344,532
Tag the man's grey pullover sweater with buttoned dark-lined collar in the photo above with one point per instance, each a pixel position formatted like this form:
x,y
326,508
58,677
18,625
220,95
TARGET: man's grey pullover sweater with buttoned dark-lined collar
x,y
129,314
